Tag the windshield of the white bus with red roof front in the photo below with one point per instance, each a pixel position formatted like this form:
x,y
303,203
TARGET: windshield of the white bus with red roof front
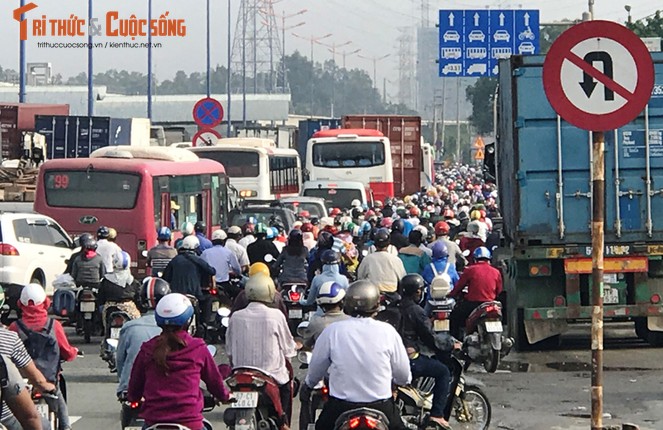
x,y
343,155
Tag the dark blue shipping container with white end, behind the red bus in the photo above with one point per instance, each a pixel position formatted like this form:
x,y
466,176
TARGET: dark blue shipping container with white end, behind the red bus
x,y
78,136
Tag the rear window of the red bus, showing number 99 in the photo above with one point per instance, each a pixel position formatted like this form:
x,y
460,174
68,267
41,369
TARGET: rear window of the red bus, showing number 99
x,y
91,189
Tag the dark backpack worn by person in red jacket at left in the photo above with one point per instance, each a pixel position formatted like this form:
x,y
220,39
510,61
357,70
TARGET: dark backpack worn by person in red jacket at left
x,y
43,347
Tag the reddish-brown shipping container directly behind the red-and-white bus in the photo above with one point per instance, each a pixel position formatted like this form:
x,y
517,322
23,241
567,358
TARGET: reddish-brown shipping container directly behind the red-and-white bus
x,y
404,133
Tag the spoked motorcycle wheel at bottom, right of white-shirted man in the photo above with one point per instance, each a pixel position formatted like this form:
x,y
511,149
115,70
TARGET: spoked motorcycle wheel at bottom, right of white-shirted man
x,y
472,412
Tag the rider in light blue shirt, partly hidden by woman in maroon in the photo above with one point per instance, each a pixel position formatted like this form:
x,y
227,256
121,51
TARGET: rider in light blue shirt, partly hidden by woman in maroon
x,y
136,332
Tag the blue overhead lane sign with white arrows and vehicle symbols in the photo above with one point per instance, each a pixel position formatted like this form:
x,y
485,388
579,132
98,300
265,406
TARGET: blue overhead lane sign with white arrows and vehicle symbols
x,y
472,41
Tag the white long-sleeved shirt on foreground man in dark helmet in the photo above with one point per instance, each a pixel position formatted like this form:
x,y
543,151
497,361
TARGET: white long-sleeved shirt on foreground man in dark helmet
x,y
362,357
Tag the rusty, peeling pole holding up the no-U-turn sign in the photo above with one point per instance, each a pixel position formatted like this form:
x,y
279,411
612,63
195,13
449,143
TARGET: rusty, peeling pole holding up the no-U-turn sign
x,y
598,215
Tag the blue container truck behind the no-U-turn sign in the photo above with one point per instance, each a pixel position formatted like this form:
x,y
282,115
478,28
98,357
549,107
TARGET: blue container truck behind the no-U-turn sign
x,y
542,168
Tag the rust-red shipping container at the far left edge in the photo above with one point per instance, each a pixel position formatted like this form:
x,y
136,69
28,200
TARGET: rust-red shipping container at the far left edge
x,y
16,118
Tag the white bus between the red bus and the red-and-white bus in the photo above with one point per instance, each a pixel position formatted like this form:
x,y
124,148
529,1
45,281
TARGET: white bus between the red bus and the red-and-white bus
x,y
256,167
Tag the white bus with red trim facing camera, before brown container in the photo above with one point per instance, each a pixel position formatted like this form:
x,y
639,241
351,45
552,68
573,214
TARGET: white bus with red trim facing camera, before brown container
x,y
352,155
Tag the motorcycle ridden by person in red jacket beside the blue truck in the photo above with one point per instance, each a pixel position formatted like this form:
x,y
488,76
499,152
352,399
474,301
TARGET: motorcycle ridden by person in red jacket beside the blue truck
x,y
484,339
